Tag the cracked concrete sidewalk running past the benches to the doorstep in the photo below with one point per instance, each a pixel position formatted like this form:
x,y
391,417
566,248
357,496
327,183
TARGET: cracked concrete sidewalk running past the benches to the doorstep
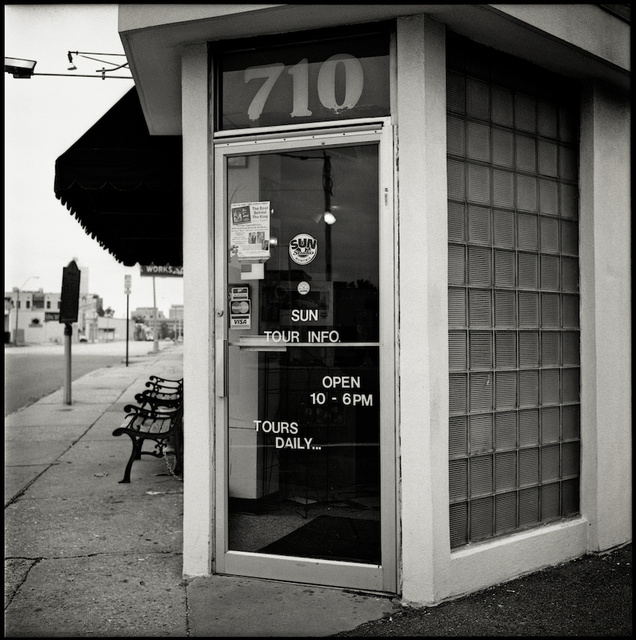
x,y
86,556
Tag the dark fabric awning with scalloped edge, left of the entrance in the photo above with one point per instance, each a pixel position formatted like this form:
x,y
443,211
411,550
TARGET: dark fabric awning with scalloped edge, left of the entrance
x,y
124,186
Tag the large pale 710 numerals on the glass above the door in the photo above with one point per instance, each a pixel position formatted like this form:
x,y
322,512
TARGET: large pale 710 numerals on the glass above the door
x,y
326,85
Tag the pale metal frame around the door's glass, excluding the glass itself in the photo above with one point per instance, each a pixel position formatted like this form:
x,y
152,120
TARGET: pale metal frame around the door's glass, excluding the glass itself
x,y
311,571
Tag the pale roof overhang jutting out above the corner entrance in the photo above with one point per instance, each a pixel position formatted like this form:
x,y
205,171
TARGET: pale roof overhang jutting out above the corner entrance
x,y
575,40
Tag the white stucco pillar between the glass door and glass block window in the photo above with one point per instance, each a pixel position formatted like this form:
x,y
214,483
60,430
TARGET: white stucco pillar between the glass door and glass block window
x,y
423,306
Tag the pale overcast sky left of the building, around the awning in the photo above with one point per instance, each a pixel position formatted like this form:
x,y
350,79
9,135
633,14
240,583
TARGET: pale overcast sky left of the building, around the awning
x,y
44,116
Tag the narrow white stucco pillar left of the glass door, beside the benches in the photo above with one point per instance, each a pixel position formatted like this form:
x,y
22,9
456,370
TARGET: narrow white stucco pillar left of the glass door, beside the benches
x,y
197,348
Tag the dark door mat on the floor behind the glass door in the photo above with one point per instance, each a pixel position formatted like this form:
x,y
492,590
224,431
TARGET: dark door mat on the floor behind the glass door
x,y
332,538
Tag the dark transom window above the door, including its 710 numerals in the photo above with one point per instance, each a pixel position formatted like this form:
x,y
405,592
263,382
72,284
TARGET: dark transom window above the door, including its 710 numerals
x,y
313,77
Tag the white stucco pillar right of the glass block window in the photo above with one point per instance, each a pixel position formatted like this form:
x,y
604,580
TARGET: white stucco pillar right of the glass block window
x,y
605,275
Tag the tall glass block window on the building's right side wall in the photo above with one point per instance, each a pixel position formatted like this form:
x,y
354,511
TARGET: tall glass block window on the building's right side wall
x,y
513,294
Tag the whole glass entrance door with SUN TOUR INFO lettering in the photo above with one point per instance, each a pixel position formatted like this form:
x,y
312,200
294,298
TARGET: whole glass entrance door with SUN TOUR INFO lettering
x,y
306,455
